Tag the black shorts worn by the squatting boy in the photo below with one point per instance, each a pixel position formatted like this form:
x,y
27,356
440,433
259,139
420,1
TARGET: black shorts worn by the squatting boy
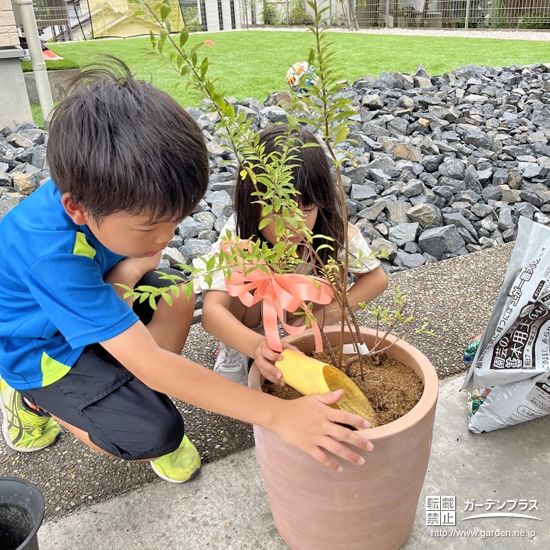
x,y
122,415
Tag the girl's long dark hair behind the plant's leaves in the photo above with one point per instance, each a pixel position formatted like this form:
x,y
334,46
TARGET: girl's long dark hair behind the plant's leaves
x,y
311,177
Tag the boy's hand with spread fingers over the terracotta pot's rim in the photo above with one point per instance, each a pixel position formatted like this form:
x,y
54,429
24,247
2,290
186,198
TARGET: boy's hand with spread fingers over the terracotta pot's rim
x,y
310,425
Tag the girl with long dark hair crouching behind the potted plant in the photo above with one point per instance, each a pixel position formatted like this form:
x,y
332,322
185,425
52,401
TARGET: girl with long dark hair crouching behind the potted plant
x,y
237,326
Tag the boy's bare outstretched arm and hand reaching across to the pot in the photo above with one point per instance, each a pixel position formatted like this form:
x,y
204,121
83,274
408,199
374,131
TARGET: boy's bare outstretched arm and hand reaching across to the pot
x,y
307,423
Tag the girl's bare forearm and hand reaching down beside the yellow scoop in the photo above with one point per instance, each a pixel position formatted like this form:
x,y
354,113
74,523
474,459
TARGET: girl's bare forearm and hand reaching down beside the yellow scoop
x,y
218,320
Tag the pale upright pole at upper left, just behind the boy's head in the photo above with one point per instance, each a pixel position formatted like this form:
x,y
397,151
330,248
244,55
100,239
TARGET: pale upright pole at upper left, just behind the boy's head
x,y
37,59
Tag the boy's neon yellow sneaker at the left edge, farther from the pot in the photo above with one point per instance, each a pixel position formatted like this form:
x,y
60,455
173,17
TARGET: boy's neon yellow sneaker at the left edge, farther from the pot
x,y
23,429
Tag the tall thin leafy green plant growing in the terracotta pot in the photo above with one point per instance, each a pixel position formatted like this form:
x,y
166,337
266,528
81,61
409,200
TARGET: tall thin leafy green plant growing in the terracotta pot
x,y
328,111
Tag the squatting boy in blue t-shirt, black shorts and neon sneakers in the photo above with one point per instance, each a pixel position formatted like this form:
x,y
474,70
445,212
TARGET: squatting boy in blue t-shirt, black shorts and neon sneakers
x,y
127,164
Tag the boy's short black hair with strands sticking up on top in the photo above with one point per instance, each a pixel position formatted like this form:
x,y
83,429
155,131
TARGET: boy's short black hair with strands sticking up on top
x,y
119,144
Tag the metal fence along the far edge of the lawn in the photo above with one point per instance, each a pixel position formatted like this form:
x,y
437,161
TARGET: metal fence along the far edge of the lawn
x,y
63,20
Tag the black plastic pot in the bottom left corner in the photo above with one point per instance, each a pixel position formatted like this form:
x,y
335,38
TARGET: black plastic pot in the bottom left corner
x,y
21,514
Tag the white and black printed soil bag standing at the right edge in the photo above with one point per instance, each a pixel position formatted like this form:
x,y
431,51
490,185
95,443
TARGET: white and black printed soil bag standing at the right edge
x,y
508,381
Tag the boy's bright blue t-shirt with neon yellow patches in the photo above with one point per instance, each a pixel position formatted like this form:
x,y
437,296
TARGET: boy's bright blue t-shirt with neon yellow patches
x,y
53,299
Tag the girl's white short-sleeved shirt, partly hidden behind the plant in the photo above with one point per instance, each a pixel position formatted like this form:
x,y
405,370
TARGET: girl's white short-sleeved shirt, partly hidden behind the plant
x,y
361,260
